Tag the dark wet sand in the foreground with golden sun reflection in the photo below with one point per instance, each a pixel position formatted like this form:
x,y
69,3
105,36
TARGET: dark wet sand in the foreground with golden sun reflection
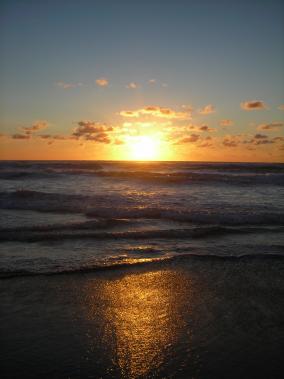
x,y
188,318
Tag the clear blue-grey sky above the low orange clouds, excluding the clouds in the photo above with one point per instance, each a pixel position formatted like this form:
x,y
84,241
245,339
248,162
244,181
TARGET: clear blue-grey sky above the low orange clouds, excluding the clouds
x,y
199,53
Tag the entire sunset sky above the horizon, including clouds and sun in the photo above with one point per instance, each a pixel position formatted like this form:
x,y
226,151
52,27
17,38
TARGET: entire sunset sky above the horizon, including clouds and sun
x,y
160,79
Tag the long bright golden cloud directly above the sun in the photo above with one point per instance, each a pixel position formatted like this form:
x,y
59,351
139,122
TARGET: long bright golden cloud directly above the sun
x,y
155,111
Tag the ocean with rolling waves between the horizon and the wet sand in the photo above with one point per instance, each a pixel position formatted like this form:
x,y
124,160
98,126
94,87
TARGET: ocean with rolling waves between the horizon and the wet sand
x,y
77,216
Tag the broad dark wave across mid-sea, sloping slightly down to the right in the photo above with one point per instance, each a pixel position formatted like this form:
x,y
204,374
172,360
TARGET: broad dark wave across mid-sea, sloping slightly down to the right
x,y
116,206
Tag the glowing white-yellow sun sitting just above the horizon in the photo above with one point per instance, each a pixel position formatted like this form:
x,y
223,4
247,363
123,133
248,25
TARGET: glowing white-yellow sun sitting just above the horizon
x,y
144,148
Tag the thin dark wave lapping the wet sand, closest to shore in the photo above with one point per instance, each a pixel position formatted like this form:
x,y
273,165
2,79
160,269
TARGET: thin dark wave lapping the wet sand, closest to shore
x,y
150,263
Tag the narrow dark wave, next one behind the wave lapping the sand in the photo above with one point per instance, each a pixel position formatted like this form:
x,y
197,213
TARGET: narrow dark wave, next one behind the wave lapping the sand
x,y
60,233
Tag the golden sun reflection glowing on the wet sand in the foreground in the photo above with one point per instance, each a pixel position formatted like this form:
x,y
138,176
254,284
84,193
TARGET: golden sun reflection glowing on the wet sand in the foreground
x,y
142,320
